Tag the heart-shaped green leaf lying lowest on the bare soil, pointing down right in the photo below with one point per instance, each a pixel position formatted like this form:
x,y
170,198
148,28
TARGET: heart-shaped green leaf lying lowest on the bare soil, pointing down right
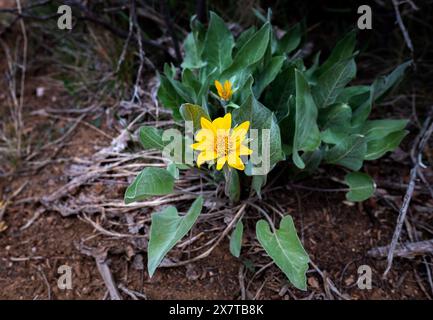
x,y
285,249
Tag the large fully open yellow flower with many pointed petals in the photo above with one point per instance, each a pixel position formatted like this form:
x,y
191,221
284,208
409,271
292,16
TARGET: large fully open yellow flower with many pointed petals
x,y
218,140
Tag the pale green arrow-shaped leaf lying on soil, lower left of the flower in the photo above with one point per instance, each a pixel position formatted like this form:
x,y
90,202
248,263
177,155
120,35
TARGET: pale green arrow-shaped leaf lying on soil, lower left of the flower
x,y
166,230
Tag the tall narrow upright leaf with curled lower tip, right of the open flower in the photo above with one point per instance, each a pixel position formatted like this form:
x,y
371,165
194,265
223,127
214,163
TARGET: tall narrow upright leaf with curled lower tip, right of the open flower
x,y
306,135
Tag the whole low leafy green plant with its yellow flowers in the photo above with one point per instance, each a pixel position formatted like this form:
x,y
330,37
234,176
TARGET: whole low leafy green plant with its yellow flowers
x,y
252,103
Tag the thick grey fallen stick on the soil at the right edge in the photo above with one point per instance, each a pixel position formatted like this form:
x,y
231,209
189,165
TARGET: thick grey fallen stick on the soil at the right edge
x,y
406,250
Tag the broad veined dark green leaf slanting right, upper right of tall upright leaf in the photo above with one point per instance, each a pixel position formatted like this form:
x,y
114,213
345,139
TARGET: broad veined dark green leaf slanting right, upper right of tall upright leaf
x,y
331,83
